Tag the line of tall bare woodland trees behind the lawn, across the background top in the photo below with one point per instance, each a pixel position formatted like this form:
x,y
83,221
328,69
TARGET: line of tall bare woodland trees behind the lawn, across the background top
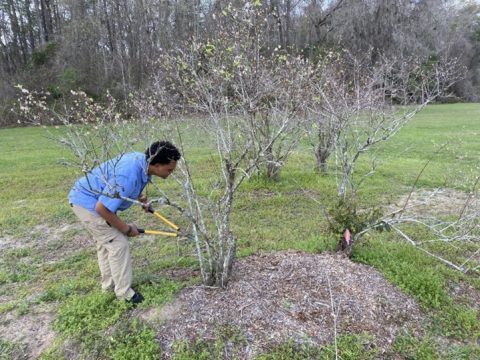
x,y
100,45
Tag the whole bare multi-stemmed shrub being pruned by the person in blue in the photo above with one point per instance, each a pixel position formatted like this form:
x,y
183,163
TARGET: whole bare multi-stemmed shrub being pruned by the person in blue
x,y
249,104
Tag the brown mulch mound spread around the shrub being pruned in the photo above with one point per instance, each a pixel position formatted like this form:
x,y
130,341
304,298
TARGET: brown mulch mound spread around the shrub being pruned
x,y
287,296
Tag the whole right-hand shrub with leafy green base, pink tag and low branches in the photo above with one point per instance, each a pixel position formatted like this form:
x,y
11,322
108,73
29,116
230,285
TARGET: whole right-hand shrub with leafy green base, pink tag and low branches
x,y
360,107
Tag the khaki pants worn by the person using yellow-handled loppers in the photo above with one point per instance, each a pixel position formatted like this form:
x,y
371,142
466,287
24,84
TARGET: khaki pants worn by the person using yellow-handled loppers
x,y
113,253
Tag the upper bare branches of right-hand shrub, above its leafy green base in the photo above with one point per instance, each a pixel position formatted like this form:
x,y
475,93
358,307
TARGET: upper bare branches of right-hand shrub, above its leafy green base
x,y
360,106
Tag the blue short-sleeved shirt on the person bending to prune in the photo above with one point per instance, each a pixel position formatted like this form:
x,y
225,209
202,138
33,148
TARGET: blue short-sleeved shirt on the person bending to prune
x,y
123,176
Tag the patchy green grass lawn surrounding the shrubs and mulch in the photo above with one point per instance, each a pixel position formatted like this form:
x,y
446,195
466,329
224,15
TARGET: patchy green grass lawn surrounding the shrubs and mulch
x,y
46,264
